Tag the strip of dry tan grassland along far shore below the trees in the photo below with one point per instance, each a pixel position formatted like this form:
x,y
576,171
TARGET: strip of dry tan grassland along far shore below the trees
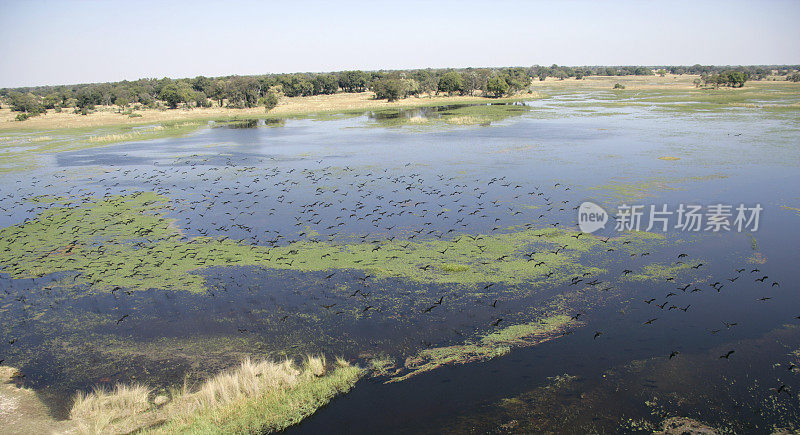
x,y
352,103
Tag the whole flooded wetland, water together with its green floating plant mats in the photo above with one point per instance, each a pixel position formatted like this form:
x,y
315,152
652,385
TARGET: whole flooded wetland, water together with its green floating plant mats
x,y
397,237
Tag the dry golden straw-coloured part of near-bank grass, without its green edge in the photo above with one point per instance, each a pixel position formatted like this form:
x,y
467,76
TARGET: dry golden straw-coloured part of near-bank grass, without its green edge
x,y
128,409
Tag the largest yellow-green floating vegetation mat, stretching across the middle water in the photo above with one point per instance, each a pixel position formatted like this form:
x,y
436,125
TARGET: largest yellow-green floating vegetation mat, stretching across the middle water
x,y
127,242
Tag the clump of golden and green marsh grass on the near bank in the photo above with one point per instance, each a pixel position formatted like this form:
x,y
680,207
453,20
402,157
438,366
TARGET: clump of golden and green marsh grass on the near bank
x,y
255,397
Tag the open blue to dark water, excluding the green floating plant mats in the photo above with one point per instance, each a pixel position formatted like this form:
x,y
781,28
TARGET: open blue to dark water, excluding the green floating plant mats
x,y
268,184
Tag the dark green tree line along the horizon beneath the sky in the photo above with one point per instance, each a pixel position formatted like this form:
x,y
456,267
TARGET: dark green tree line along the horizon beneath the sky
x,y
265,90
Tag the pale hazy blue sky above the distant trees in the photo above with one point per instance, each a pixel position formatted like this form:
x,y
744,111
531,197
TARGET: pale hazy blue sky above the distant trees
x,y
45,42
